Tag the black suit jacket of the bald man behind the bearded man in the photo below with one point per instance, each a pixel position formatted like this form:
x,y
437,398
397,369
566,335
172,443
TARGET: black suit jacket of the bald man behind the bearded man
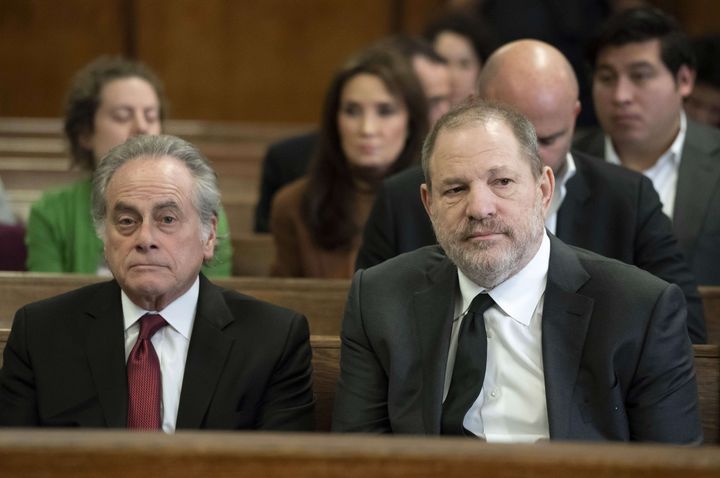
x,y
607,209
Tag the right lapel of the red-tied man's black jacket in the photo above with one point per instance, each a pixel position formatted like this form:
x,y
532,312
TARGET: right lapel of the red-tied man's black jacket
x,y
207,354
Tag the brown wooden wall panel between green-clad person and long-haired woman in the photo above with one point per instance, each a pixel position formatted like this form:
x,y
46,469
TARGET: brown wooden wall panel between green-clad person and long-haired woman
x,y
243,60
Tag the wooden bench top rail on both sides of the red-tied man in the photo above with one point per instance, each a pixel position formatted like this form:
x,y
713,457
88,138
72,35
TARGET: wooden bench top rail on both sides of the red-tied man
x,y
321,301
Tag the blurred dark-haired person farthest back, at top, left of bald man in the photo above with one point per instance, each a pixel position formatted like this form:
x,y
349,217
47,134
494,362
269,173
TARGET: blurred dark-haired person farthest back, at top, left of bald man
x,y
462,40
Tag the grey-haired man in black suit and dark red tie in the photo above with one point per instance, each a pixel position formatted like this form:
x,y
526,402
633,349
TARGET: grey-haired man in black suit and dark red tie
x,y
197,356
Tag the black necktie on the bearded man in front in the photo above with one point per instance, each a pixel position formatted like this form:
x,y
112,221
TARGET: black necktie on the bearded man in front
x,y
469,370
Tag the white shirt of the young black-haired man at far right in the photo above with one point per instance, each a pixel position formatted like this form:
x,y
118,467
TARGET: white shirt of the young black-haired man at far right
x,y
664,172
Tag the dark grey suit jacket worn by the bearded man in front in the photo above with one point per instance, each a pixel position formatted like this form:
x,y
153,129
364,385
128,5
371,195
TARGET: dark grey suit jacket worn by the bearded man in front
x,y
618,364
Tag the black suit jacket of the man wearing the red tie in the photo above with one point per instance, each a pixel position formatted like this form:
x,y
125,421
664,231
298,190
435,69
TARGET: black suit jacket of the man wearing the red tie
x,y
248,364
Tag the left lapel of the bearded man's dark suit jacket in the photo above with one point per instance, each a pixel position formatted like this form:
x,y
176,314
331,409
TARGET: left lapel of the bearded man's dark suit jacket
x,y
433,310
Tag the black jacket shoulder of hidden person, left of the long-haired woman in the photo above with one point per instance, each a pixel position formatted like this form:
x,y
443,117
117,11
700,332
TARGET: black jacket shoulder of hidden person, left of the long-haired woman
x,y
284,162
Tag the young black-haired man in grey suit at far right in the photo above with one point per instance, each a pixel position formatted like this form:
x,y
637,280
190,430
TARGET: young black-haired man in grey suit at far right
x,y
642,66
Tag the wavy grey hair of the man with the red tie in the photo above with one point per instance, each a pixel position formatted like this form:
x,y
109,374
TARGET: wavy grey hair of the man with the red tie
x,y
206,194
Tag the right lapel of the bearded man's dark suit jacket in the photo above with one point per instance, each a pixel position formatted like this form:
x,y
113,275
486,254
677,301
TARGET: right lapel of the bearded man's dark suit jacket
x,y
566,316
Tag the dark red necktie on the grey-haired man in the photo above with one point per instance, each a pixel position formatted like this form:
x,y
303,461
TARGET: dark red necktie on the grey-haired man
x,y
144,378
